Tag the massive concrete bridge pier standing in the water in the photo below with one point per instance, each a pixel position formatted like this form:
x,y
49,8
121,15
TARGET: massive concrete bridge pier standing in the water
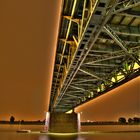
x,y
63,123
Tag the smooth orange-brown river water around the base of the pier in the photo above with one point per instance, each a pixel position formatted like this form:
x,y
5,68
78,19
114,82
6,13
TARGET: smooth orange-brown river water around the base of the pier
x,y
97,132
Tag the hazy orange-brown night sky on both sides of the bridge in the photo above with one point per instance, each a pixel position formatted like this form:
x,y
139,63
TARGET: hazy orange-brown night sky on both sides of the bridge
x,y
28,40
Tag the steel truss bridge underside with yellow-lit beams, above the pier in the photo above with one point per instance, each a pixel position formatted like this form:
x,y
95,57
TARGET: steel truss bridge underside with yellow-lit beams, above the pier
x,y
98,49
